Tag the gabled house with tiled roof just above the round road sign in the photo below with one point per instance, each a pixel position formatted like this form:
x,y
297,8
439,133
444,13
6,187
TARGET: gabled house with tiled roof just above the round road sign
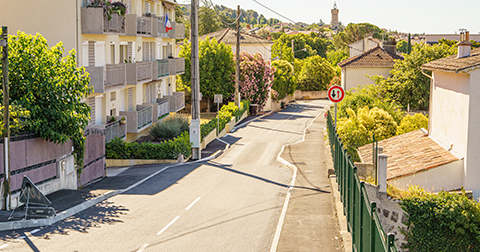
x,y
375,61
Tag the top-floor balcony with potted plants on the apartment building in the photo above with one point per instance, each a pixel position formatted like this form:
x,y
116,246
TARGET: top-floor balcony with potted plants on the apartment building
x,y
94,22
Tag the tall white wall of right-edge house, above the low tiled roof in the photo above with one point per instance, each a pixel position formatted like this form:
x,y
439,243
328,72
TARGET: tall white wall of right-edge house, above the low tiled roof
x,y
448,112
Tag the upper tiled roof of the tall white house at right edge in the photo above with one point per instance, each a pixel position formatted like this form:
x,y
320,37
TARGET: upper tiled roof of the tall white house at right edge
x,y
452,64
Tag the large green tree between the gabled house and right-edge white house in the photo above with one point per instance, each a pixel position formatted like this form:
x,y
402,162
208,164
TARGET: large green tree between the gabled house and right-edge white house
x,y
407,85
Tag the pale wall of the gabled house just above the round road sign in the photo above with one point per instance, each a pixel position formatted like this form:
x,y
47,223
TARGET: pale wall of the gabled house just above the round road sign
x,y
355,76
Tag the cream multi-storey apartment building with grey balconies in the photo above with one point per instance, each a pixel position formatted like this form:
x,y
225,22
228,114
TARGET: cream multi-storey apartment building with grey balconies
x,y
130,58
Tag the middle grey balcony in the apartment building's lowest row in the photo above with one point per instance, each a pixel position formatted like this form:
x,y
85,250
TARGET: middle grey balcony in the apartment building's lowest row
x,y
138,120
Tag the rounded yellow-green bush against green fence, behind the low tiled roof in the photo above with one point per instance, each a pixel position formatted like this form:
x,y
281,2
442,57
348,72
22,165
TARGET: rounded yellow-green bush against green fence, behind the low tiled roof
x,y
358,128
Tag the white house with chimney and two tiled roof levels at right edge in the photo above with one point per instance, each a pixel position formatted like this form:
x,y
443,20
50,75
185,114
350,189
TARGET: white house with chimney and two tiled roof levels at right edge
x,y
446,156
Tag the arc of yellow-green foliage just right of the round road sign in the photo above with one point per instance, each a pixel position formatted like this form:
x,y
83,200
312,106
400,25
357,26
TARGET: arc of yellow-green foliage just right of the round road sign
x,y
370,96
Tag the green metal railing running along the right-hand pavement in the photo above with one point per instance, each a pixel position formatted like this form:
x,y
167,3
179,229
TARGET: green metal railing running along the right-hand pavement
x,y
362,219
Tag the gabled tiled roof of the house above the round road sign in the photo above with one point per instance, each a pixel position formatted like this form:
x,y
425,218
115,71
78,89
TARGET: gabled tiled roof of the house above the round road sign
x,y
375,57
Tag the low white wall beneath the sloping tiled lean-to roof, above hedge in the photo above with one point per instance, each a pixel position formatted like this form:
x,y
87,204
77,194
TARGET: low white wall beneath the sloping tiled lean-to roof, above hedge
x,y
444,177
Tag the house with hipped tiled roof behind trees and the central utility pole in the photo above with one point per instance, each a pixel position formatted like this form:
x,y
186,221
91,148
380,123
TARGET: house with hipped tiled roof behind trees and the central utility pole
x,y
250,43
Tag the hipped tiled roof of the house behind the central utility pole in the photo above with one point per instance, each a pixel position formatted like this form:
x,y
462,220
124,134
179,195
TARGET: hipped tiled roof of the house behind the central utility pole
x,y
229,37
